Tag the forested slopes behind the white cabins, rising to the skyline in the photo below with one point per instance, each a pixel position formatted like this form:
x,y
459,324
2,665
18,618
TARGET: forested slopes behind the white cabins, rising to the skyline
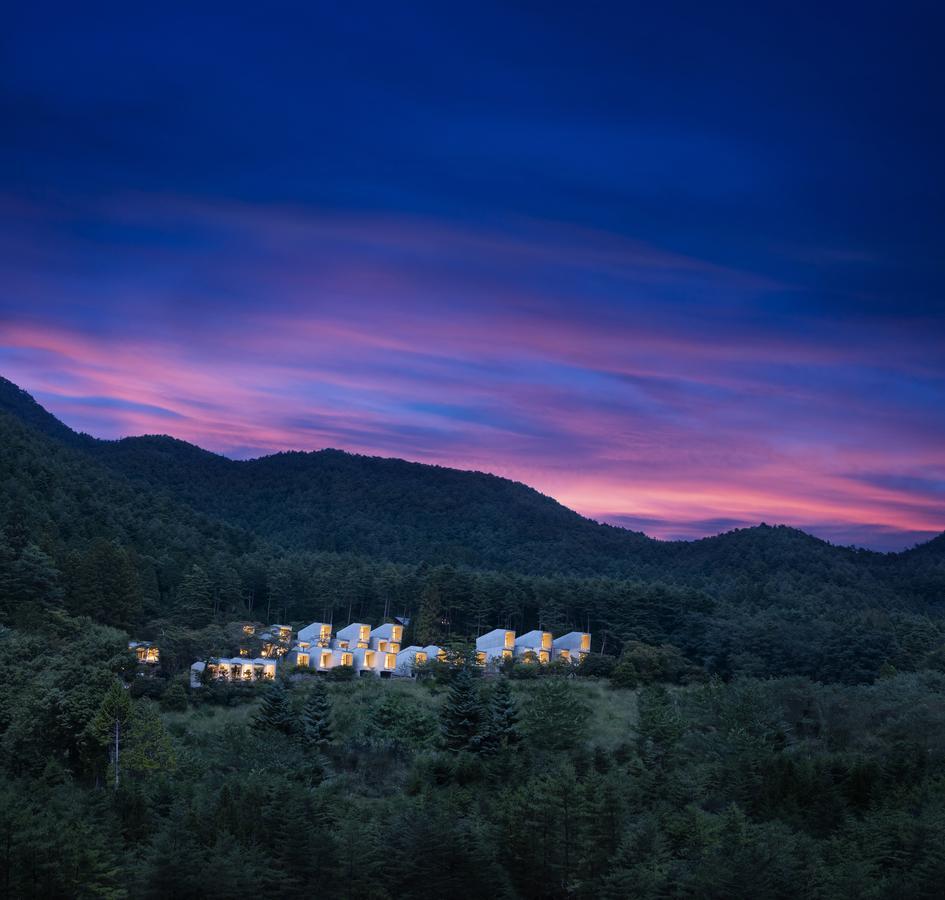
x,y
202,540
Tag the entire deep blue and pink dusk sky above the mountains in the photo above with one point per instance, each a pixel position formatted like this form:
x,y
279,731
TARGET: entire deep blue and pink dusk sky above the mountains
x,y
678,265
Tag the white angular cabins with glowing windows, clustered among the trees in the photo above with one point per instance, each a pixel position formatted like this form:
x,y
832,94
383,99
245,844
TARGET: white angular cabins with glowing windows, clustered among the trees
x,y
378,652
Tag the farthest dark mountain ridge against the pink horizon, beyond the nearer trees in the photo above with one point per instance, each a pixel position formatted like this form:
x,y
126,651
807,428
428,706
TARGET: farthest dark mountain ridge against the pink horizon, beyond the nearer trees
x,y
332,501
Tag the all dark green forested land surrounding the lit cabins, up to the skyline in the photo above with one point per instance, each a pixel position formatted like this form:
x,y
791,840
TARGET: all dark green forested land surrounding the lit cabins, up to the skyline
x,y
762,715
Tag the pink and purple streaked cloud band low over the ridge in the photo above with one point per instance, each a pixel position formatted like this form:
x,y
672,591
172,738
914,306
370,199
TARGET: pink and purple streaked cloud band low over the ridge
x,y
640,387
